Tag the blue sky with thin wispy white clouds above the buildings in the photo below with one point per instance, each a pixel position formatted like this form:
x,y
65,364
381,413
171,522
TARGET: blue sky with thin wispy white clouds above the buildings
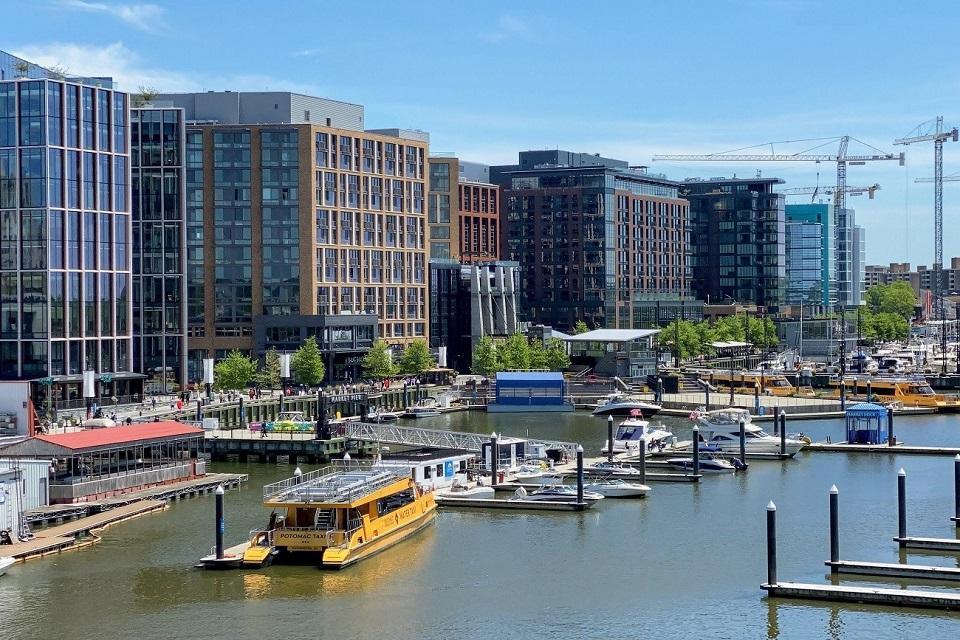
x,y
627,80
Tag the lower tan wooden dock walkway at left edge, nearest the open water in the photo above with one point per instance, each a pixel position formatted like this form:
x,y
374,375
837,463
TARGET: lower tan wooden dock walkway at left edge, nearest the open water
x,y
79,533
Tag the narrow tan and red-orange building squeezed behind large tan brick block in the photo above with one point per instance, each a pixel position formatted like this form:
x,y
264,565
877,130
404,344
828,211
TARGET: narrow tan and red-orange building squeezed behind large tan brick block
x,y
463,212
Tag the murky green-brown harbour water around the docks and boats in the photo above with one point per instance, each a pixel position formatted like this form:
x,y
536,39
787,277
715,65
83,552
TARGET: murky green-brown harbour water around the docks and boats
x,y
685,563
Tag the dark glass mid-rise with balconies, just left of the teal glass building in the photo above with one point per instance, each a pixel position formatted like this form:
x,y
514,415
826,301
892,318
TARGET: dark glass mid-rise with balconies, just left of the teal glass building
x,y
737,240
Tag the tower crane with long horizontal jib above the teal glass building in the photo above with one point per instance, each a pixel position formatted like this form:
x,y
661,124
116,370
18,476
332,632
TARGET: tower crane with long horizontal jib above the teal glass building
x,y
840,224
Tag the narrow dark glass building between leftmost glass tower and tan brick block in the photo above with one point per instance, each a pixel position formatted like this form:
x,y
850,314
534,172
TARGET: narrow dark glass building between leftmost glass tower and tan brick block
x,y
157,152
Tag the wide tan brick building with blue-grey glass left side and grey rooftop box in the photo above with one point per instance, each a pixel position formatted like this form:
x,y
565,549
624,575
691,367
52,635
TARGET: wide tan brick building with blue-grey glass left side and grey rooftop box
x,y
293,210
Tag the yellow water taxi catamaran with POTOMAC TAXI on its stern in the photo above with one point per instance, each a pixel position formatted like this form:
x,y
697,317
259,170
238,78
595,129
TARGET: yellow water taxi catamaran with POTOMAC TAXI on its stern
x,y
340,514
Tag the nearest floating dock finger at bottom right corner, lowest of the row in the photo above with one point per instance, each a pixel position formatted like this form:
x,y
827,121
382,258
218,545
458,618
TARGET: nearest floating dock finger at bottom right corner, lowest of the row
x,y
885,597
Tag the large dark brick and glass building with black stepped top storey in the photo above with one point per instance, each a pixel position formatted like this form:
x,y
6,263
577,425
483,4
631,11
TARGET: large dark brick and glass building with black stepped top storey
x,y
591,234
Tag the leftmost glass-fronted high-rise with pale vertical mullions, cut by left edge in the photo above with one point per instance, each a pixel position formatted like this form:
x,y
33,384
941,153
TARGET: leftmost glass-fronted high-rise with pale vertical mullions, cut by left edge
x,y
65,254
